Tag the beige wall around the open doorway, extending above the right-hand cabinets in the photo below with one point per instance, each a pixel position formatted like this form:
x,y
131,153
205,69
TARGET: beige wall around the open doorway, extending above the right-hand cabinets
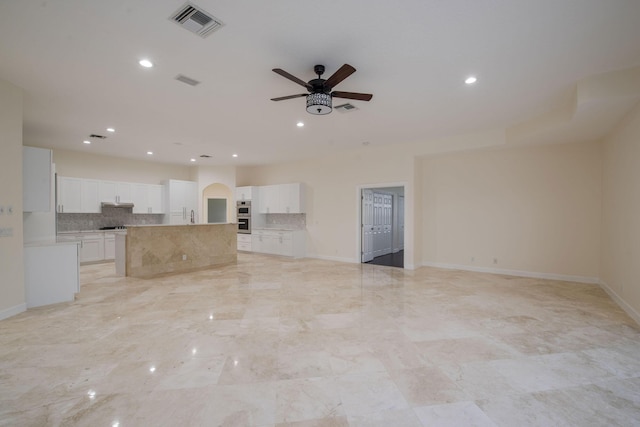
x,y
332,195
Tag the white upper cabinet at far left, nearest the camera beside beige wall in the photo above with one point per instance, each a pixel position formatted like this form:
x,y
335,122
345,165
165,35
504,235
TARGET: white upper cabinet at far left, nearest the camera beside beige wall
x,y
36,179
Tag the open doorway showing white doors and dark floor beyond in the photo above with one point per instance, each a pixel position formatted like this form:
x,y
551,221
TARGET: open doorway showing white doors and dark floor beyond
x,y
382,226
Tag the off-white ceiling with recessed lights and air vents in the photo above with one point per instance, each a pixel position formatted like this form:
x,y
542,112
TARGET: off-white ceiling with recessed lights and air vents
x,y
77,62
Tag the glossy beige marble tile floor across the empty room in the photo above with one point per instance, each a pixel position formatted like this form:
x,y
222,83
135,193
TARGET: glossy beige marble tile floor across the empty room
x,y
279,342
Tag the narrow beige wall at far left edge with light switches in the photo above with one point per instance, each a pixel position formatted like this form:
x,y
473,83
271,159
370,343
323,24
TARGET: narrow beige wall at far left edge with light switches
x,y
12,292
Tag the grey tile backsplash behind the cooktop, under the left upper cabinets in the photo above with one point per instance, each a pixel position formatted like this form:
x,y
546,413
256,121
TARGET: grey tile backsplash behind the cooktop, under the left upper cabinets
x,y
110,217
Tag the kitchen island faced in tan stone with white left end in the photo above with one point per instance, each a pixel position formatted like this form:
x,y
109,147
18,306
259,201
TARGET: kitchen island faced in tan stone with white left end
x,y
151,250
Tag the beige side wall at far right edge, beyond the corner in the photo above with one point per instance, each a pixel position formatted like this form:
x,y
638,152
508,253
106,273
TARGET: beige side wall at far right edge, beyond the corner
x,y
620,268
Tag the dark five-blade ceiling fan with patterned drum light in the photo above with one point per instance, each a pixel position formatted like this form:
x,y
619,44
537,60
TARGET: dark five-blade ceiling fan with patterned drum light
x,y
320,90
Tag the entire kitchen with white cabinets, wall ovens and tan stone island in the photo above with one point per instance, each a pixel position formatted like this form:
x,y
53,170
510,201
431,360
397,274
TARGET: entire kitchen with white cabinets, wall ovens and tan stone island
x,y
144,229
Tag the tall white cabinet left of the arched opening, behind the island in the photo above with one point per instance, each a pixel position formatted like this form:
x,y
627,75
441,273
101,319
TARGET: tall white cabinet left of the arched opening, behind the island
x,y
181,199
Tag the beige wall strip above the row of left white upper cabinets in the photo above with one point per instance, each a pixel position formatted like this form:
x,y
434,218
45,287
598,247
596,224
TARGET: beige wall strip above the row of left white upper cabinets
x,y
85,165
